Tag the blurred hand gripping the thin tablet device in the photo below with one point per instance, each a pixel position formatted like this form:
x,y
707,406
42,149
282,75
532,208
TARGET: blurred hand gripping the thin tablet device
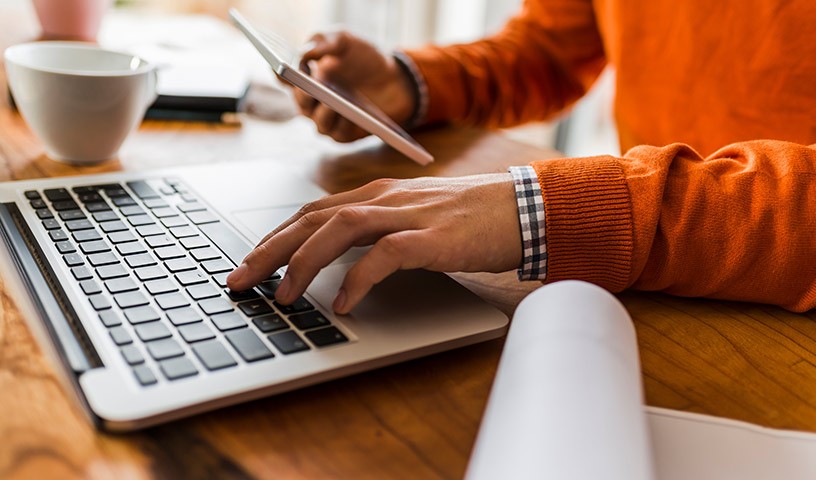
x,y
357,66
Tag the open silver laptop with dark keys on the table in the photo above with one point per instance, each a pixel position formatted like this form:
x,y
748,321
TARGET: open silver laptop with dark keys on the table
x,y
121,278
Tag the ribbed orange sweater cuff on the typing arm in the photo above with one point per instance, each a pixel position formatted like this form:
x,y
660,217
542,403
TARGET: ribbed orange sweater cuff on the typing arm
x,y
589,225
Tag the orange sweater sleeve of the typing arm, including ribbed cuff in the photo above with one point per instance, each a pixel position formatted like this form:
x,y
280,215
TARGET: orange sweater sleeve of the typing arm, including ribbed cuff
x,y
738,225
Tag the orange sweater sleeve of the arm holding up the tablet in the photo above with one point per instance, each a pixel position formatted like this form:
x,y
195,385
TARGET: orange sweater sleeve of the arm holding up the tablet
x,y
543,60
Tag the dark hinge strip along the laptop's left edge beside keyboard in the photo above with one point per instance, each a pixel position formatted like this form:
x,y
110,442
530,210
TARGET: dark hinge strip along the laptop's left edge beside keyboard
x,y
47,295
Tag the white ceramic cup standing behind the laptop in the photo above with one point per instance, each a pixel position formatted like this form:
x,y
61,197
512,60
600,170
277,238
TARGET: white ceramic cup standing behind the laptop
x,y
81,101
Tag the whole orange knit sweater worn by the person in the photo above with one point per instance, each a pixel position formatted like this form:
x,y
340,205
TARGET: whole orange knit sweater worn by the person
x,y
718,77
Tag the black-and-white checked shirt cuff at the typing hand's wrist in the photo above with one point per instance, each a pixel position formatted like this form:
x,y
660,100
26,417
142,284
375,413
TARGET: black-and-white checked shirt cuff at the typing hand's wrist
x,y
530,203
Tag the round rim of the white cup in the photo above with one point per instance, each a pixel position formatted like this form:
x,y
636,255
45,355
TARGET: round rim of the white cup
x,y
14,54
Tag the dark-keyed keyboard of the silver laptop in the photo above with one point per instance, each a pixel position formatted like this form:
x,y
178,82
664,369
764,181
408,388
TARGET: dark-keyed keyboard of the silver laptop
x,y
152,261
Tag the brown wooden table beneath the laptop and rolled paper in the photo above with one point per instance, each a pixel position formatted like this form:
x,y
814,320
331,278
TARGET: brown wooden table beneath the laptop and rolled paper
x,y
414,420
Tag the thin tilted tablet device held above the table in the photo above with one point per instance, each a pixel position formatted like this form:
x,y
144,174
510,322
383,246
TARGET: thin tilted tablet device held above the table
x,y
363,113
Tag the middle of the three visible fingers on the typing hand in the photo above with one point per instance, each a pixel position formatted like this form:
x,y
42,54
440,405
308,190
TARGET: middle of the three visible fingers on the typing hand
x,y
350,226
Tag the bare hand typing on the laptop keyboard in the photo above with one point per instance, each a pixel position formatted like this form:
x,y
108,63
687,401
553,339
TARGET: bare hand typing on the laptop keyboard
x,y
441,224
